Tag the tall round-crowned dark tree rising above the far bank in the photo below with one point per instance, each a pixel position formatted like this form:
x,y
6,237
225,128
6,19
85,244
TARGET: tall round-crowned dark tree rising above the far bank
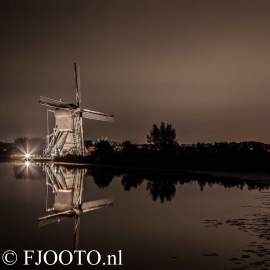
x,y
163,137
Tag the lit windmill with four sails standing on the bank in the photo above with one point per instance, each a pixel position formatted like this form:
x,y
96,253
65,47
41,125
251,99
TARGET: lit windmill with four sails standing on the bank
x,y
67,136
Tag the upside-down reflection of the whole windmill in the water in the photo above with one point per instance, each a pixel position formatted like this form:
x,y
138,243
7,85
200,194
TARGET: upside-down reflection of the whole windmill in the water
x,y
67,185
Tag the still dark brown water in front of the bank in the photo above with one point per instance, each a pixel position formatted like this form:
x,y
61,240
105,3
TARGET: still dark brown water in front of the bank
x,y
157,221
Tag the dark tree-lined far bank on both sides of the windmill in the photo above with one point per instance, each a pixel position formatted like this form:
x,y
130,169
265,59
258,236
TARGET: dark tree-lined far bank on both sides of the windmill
x,y
162,150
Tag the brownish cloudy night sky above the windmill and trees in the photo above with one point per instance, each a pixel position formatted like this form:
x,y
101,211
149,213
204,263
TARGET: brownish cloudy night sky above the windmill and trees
x,y
202,66
